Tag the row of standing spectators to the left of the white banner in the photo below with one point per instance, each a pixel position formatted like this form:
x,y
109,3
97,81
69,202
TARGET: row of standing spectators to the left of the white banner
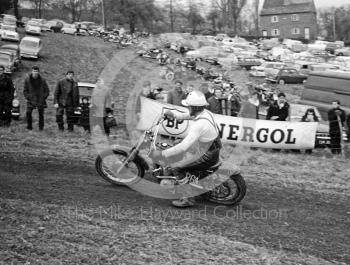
x,y
70,108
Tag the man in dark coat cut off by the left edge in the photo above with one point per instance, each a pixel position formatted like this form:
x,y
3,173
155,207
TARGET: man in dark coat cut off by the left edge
x,y
7,91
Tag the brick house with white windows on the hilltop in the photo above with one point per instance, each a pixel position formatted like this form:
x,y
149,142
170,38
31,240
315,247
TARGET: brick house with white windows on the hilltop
x,y
292,19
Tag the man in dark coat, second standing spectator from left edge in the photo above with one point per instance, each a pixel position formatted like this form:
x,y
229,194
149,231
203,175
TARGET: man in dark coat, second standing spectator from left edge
x,y
36,91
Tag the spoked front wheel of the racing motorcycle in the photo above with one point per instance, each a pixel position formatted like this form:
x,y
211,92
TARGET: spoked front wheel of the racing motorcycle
x,y
111,166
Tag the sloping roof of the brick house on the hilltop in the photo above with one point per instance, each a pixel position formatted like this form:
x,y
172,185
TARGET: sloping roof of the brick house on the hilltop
x,y
276,7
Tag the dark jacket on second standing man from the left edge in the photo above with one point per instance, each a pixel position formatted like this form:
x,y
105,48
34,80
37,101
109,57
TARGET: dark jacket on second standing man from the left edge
x,y
36,93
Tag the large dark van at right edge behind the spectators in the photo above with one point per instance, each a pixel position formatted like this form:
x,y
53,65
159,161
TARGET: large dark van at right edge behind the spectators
x,y
321,88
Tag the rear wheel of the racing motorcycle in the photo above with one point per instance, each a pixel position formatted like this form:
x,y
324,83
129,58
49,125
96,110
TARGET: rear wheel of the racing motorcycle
x,y
230,192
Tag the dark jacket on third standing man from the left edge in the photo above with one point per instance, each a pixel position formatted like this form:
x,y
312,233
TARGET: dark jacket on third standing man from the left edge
x,y
67,93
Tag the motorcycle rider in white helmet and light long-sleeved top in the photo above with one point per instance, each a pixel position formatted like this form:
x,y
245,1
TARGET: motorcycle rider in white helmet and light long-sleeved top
x,y
203,137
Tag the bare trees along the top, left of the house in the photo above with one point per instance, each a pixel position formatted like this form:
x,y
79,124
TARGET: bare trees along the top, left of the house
x,y
172,16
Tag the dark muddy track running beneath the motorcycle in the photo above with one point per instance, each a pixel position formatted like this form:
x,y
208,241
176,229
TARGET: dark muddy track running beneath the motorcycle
x,y
280,219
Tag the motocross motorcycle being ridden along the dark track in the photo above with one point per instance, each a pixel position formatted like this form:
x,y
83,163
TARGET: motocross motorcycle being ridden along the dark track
x,y
226,187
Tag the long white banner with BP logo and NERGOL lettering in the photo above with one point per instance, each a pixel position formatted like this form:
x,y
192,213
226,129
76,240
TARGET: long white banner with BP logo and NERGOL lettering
x,y
233,130
